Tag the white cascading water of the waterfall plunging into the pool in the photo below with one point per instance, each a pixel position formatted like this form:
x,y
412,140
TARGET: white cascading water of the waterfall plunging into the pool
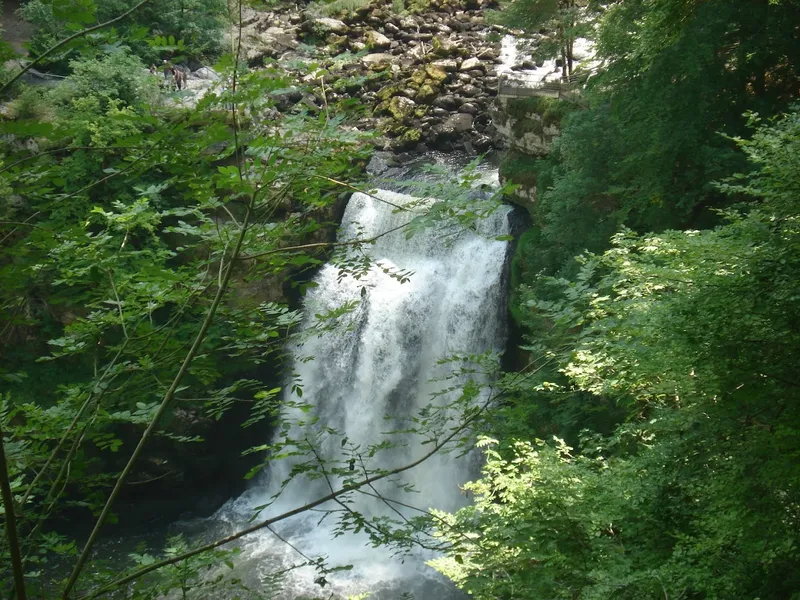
x,y
380,362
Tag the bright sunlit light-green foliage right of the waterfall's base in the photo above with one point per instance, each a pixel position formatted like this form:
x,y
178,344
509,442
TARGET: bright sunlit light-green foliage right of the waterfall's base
x,y
692,493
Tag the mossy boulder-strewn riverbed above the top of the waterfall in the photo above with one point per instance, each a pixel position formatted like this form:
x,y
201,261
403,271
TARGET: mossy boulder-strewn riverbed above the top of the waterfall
x,y
428,79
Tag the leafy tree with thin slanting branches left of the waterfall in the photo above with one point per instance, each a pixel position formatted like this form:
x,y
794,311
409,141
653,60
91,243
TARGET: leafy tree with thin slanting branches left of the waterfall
x,y
127,226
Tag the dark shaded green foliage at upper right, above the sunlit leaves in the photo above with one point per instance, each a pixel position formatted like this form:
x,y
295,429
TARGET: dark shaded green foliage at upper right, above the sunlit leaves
x,y
645,149
